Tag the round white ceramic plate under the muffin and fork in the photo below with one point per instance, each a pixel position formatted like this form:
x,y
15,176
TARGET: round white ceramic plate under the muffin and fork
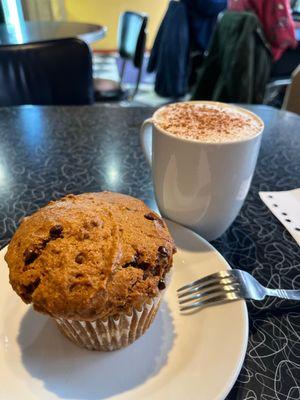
x,y
180,357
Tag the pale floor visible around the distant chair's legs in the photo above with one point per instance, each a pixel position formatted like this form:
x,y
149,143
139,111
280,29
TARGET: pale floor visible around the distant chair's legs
x,y
107,67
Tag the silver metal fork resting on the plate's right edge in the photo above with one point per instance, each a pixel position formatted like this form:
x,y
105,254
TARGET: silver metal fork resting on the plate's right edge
x,y
226,286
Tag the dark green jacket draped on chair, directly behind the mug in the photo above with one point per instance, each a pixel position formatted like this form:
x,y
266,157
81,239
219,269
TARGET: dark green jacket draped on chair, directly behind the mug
x,y
238,63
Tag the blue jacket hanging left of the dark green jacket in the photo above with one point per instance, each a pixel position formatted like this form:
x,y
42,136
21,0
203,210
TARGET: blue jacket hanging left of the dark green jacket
x,y
170,52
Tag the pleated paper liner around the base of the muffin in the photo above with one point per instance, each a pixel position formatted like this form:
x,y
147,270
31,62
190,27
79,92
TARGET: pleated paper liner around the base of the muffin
x,y
110,334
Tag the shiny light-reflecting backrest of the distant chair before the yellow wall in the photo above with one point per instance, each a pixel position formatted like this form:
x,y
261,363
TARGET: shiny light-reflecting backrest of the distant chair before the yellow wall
x,y
132,36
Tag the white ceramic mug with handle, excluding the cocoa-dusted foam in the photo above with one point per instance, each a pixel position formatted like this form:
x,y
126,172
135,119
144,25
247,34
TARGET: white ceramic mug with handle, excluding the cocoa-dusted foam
x,y
198,184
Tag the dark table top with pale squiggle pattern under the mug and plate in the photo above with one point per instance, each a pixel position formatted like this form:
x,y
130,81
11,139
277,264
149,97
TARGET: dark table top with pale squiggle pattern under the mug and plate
x,y
46,152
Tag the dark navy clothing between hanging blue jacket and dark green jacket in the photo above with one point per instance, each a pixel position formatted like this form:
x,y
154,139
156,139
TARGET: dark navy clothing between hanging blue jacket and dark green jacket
x,y
202,20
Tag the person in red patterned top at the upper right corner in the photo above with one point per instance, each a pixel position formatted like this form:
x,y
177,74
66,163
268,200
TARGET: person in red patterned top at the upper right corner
x,y
278,26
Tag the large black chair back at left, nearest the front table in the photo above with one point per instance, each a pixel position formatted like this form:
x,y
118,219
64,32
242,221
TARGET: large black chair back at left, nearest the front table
x,y
46,73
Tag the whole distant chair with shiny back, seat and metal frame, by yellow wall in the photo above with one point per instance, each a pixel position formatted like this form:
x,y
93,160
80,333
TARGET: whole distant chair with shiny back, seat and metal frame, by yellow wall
x,y
131,47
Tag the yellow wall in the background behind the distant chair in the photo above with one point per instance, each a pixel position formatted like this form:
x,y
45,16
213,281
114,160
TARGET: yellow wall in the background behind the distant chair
x,y
106,12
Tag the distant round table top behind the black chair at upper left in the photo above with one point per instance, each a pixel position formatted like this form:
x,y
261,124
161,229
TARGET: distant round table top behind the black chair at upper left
x,y
39,31
